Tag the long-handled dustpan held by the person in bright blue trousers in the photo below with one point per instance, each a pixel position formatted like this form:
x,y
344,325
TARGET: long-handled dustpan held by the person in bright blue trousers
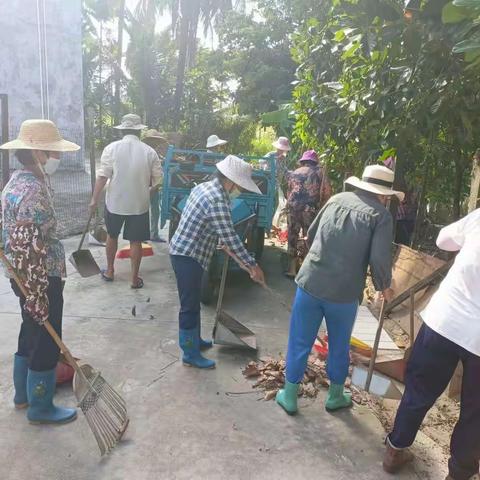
x,y
373,382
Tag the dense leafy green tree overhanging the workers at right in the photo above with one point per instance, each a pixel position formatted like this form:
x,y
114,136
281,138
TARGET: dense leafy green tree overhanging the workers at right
x,y
371,82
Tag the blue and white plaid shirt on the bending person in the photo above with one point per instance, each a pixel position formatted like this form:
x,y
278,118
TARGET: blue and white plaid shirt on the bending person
x,y
206,222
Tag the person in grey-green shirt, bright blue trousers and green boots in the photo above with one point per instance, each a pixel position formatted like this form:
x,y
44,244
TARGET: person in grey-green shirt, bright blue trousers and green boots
x,y
352,232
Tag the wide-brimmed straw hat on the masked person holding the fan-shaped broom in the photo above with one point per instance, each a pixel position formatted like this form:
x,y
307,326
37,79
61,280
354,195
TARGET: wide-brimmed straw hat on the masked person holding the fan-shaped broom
x,y
40,135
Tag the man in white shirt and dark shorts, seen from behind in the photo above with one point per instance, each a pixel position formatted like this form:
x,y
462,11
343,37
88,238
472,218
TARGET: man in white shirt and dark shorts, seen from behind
x,y
132,169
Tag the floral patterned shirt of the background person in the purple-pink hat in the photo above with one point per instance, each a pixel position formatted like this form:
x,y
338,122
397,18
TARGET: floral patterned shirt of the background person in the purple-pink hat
x,y
308,186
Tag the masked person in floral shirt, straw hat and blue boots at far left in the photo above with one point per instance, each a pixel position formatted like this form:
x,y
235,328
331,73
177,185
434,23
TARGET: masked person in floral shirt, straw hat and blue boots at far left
x,y
31,243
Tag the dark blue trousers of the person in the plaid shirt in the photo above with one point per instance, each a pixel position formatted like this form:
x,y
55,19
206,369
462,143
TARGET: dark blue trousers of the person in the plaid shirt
x,y
189,282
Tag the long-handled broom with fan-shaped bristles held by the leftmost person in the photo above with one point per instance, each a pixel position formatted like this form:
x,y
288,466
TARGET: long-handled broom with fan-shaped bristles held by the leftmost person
x,y
104,409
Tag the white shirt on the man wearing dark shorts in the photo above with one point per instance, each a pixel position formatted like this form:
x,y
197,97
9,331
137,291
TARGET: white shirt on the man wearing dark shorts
x,y
132,167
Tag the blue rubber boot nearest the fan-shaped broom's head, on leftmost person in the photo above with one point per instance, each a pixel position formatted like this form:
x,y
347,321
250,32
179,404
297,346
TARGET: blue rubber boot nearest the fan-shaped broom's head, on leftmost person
x,y
40,391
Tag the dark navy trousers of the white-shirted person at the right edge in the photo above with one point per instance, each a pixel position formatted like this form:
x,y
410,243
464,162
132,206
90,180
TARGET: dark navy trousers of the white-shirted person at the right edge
x,y
430,368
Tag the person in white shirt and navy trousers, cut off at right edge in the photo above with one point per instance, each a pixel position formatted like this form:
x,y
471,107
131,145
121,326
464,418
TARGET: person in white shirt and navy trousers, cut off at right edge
x,y
450,333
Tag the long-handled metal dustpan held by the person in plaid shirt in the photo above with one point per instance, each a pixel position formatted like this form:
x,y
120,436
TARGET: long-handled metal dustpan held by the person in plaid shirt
x,y
227,330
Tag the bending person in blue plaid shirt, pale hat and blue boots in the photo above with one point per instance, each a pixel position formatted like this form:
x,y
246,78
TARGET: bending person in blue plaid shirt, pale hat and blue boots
x,y
206,222
